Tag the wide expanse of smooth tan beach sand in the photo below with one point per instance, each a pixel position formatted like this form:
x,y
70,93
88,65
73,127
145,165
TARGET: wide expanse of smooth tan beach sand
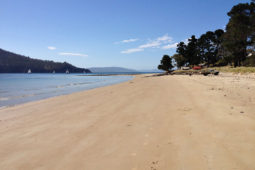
x,y
149,123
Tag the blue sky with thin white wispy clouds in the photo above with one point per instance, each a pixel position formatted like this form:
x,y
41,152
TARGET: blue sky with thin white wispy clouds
x,y
89,33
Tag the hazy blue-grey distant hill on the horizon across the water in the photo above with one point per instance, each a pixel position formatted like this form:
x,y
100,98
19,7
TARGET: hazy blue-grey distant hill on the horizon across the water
x,y
110,70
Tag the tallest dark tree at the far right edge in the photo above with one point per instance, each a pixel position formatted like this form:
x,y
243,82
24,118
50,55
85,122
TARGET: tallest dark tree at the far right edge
x,y
240,32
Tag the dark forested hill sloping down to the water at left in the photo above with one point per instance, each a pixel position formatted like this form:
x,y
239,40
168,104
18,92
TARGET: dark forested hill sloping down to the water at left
x,y
15,63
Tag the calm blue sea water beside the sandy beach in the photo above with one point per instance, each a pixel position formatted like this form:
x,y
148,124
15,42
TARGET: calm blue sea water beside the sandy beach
x,y
22,88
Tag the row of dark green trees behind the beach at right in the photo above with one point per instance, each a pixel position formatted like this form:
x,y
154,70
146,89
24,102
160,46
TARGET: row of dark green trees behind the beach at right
x,y
235,46
